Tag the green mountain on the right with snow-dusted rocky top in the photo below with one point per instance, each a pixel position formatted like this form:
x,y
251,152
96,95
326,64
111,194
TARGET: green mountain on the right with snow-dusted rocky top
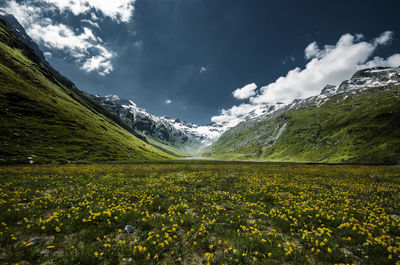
x,y
356,122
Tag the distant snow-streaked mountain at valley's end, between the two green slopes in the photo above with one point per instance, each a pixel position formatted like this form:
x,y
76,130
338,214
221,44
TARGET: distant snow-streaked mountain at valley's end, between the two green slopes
x,y
185,136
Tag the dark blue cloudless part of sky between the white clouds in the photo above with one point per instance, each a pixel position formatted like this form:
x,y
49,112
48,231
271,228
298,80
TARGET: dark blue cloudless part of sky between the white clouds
x,y
161,50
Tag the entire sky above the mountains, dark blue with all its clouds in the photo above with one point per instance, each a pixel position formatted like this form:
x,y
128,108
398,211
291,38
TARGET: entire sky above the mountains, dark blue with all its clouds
x,y
208,60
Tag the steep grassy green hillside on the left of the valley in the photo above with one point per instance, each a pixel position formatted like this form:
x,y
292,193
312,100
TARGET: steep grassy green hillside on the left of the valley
x,y
45,119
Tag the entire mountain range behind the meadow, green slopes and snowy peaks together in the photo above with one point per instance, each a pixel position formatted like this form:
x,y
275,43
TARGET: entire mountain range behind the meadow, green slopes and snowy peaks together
x,y
356,121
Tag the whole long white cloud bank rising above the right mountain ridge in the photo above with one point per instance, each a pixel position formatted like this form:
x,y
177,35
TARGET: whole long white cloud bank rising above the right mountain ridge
x,y
330,64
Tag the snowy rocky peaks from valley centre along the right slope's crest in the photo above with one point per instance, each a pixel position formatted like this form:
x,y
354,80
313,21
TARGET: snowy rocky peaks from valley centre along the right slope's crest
x,y
192,137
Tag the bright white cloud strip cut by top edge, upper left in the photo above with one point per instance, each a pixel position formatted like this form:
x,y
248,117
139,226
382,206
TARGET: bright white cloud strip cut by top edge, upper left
x,y
118,10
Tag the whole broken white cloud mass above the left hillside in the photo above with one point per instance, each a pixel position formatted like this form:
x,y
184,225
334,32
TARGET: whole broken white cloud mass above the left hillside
x,y
87,49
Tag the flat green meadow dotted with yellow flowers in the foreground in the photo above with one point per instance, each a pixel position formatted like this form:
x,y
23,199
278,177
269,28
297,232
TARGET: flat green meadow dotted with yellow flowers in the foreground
x,y
200,213
